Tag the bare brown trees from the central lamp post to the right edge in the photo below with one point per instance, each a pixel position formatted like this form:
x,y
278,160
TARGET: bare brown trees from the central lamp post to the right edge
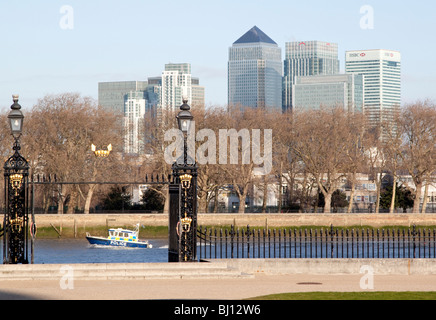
x,y
319,150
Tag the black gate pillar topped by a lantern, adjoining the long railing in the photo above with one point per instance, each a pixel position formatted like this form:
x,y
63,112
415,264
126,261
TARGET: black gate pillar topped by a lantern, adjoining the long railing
x,y
183,199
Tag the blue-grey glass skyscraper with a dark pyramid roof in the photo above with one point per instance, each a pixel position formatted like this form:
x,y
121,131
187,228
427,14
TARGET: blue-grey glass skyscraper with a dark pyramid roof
x,y
255,71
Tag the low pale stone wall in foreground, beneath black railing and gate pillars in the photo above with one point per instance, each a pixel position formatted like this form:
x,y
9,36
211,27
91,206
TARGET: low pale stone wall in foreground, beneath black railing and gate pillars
x,y
220,269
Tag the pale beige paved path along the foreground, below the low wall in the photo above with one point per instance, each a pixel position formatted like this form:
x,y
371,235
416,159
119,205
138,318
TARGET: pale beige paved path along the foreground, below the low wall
x,y
217,289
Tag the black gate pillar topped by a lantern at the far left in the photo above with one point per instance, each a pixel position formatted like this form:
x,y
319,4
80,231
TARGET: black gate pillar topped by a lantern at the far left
x,y
16,216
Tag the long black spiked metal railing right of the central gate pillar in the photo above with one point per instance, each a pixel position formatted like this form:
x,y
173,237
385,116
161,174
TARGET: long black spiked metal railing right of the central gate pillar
x,y
316,243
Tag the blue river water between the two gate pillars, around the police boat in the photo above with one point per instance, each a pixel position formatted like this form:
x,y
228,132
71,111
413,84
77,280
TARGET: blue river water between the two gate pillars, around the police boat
x,y
67,251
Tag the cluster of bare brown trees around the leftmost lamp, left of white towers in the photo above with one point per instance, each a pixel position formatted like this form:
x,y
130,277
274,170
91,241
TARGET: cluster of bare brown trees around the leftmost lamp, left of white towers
x,y
57,136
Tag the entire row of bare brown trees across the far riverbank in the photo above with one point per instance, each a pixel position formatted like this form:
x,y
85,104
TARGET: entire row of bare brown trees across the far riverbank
x,y
316,150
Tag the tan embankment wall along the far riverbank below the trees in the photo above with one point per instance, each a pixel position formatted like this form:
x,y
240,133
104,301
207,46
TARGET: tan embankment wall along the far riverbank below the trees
x,y
240,220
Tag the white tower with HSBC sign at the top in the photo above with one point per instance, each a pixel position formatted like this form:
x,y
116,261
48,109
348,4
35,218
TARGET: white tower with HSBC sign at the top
x,y
382,80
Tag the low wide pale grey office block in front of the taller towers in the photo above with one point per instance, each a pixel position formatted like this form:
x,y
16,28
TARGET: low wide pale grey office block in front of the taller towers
x,y
339,90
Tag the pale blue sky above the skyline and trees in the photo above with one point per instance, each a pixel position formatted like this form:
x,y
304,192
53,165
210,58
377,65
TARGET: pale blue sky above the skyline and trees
x,y
57,46
